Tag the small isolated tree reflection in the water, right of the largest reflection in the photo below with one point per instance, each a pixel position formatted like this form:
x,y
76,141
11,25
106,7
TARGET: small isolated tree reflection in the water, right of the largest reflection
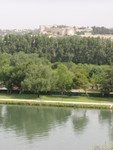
x,y
80,120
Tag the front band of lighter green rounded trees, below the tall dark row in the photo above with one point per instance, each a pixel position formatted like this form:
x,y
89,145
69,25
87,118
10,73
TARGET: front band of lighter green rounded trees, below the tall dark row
x,y
31,73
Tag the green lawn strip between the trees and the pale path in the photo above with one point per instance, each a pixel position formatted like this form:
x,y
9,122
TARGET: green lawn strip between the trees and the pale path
x,y
58,98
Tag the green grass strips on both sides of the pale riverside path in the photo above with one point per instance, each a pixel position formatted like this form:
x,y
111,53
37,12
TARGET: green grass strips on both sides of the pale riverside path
x,y
56,98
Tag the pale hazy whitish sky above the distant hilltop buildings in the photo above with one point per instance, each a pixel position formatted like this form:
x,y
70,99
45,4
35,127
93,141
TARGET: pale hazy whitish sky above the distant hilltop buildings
x,y
32,13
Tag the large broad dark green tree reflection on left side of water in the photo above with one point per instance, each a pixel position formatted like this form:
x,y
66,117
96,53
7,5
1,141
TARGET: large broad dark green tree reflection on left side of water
x,y
33,121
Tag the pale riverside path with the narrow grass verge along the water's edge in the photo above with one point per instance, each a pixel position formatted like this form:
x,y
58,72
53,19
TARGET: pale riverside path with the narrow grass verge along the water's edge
x,y
41,102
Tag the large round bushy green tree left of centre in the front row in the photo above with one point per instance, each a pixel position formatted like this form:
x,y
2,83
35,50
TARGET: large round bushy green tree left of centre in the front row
x,y
38,78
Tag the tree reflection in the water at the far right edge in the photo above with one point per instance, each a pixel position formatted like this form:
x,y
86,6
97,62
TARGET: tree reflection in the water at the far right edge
x,y
106,117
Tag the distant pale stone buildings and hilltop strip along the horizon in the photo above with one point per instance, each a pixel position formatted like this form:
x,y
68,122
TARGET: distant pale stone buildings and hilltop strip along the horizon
x,y
63,30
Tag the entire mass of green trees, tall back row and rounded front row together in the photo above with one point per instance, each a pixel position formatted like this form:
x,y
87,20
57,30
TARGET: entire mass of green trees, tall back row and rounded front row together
x,y
40,63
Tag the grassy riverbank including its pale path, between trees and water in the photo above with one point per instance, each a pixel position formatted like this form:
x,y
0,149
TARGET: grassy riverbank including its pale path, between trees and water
x,y
76,101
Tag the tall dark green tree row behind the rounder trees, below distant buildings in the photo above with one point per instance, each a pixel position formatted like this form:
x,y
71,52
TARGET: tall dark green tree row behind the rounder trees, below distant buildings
x,y
61,49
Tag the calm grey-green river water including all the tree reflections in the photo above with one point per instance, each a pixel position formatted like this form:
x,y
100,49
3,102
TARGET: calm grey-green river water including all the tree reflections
x,y
52,128
